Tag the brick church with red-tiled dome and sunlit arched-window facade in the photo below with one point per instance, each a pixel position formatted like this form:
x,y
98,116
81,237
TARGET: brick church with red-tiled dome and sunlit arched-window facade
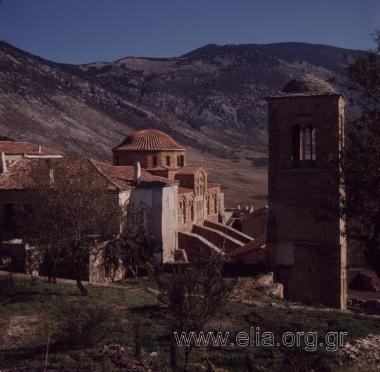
x,y
159,154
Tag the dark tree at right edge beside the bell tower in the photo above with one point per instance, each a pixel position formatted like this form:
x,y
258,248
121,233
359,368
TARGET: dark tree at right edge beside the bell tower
x,y
361,160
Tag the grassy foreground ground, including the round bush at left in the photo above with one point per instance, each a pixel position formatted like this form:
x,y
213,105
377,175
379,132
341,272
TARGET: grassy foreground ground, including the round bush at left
x,y
33,311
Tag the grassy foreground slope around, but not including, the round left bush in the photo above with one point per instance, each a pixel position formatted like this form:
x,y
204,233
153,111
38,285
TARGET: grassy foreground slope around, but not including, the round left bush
x,y
31,303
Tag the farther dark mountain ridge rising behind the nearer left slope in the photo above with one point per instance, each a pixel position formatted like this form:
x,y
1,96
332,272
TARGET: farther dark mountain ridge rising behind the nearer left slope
x,y
218,91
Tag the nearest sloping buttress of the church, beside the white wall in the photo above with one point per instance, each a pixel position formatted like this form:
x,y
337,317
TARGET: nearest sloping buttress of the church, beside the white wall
x,y
196,247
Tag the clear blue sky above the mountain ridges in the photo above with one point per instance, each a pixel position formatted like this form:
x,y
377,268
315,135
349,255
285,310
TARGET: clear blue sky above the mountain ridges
x,y
78,31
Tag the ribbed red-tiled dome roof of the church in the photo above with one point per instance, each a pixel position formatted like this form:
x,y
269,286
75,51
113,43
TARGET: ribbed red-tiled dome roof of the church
x,y
148,140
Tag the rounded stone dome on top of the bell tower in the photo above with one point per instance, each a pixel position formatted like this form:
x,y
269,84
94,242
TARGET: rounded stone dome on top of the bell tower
x,y
308,84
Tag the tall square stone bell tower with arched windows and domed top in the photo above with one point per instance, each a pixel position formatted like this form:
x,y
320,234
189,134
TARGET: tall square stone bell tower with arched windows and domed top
x,y
306,244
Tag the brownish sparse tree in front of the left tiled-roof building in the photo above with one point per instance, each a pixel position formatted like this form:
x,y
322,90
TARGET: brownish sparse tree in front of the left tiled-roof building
x,y
71,209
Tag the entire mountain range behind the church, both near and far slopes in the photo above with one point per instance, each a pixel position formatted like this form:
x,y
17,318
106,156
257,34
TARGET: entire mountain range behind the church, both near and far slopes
x,y
211,99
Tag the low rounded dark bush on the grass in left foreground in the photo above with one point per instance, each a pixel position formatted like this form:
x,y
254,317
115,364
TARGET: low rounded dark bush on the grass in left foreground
x,y
81,324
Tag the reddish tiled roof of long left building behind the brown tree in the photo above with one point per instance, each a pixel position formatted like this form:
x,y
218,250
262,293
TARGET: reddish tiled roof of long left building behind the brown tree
x,y
22,174
